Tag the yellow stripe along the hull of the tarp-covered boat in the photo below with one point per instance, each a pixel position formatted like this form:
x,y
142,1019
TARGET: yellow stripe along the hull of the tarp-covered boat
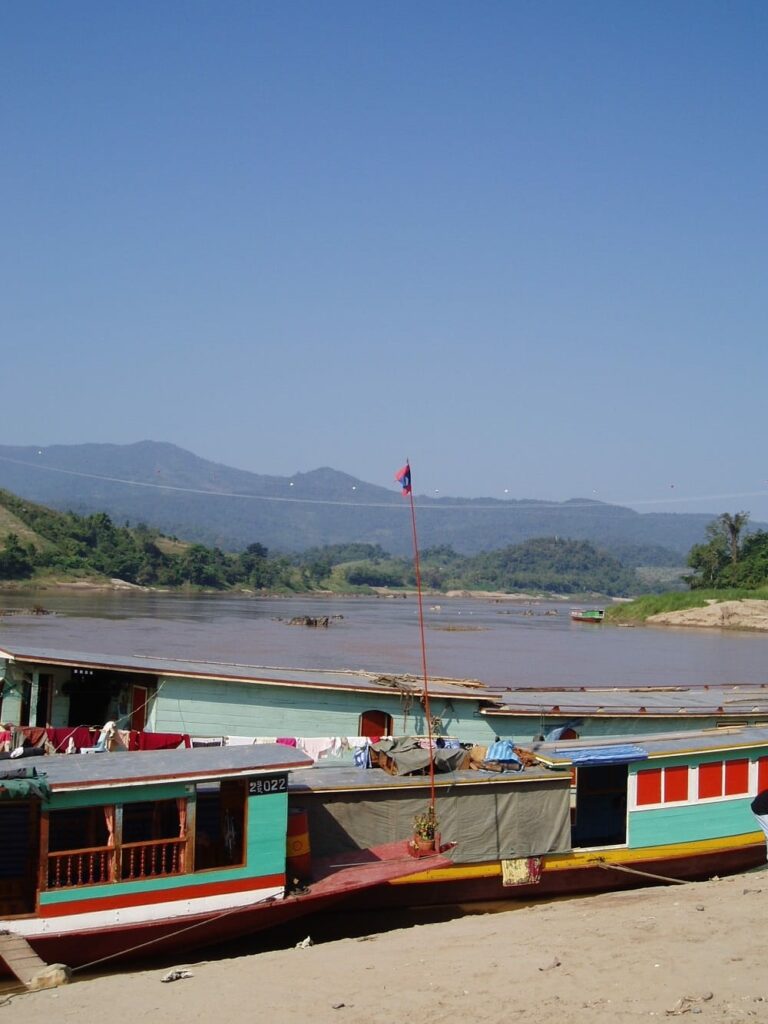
x,y
587,859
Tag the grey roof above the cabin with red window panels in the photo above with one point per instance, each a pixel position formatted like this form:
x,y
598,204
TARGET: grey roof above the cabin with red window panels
x,y
639,748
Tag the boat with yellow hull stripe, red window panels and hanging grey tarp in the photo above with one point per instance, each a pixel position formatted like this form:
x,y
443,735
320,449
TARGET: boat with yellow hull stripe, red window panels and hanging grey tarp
x,y
594,816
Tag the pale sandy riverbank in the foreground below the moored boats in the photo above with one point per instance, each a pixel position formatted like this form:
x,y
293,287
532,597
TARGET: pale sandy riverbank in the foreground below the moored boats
x,y
695,949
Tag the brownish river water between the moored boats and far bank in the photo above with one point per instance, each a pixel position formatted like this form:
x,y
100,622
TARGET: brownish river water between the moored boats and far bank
x,y
501,644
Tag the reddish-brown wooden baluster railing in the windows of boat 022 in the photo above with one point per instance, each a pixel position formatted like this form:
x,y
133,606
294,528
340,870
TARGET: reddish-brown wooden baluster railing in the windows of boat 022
x,y
132,863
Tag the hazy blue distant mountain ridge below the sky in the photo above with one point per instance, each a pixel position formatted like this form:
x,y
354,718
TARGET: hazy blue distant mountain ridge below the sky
x,y
183,495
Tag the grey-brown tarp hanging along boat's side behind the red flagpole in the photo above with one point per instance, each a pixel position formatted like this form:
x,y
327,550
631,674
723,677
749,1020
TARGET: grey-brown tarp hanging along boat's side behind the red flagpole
x,y
491,823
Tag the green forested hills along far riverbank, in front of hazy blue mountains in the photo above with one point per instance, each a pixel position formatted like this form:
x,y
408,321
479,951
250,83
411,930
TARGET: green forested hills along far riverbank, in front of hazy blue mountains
x,y
38,544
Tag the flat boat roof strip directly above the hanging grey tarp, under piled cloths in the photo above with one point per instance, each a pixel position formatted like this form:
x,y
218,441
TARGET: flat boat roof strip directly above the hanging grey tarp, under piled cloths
x,y
346,779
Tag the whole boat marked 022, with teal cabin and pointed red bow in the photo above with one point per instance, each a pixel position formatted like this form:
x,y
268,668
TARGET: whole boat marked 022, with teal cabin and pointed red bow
x,y
109,856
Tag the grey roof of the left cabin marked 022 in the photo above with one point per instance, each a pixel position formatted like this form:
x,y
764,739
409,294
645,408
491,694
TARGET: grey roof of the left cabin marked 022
x,y
121,769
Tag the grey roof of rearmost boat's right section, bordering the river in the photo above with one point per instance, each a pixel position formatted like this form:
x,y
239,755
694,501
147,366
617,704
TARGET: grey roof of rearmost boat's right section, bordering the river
x,y
636,702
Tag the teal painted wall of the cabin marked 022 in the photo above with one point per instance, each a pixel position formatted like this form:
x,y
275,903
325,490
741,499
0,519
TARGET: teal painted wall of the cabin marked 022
x,y
266,846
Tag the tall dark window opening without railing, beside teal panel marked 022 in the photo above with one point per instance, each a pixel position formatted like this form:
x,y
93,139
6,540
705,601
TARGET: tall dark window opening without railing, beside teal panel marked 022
x,y
220,825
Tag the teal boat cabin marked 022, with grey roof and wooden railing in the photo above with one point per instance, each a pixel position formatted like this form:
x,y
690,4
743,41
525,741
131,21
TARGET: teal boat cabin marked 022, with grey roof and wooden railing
x,y
93,841
